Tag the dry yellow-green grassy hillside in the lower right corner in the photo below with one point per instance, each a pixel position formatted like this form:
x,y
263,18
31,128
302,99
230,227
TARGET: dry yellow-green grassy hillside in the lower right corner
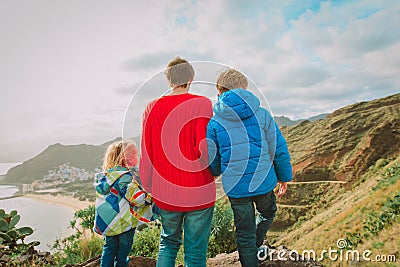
x,y
366,217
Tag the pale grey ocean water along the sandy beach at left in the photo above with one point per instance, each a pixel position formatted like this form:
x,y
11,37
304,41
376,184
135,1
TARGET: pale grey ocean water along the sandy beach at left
x,y
49,221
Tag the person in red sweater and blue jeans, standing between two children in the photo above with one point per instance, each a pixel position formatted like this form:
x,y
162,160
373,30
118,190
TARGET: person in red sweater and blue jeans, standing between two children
x,y
173,167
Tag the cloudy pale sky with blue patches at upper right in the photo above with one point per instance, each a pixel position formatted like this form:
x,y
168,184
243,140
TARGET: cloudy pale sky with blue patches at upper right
x,y
70,70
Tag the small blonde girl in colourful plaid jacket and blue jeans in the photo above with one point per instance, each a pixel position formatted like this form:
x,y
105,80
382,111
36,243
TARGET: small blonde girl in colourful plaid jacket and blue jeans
x,y
121,203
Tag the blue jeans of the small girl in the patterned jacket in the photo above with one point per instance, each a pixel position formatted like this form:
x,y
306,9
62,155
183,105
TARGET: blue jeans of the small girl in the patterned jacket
x,y
116,249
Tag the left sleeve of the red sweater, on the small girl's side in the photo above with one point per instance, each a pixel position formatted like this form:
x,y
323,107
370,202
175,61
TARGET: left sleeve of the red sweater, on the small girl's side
x,y
146,152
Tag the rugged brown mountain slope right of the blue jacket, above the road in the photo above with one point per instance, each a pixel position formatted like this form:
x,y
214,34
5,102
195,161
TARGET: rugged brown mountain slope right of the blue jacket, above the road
x,y
347,142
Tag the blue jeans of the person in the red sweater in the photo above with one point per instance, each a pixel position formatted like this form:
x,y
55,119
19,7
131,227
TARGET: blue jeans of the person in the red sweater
x,y
196,226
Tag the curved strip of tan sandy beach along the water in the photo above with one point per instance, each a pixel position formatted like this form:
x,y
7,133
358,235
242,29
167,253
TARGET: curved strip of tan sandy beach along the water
x,y
66,201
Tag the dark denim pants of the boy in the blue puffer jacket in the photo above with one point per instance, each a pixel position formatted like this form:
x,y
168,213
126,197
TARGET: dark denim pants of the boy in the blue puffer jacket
x,y
251,231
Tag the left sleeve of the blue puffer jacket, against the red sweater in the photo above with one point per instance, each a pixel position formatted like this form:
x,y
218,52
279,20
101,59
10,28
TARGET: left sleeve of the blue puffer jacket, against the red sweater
x,y
214,157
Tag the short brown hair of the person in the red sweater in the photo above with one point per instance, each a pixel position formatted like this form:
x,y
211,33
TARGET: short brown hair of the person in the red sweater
x,y
179,72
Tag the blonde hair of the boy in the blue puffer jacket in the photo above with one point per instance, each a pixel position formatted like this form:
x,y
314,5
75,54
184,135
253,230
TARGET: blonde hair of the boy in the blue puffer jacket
x,y
230,79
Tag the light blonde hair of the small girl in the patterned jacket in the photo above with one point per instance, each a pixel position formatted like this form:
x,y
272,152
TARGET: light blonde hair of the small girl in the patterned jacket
x,y
115,154
